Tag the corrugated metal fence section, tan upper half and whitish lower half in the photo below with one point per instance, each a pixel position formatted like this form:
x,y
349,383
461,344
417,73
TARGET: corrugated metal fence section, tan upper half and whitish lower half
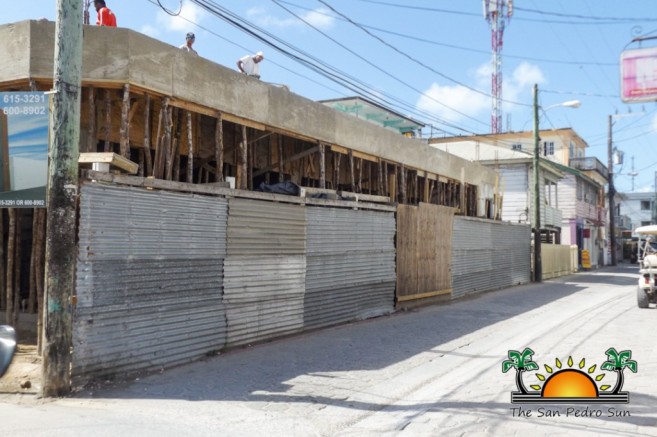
x,y
265,270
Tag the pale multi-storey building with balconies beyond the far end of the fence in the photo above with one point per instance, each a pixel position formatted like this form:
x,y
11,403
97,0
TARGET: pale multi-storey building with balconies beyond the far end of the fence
x,y
572,184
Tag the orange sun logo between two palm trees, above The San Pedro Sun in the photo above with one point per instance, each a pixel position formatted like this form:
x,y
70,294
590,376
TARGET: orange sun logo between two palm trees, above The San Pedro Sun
x,y
571,384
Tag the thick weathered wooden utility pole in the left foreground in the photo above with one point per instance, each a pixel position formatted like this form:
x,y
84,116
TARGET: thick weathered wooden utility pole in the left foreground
x,y
62,195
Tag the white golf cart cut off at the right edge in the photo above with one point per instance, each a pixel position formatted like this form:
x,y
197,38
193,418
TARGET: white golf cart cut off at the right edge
x,y
647,257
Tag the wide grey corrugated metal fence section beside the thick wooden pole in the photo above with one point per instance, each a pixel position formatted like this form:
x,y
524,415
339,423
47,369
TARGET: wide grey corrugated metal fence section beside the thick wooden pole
x,y
149,279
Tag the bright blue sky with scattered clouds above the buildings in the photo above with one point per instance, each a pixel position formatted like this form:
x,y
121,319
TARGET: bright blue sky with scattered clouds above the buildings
x,y
442,75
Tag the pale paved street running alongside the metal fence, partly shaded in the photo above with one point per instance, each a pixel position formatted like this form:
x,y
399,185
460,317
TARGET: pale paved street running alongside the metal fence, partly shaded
x,y
434,371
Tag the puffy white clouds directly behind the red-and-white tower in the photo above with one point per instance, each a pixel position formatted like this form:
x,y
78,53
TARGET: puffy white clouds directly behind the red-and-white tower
x,y
473,103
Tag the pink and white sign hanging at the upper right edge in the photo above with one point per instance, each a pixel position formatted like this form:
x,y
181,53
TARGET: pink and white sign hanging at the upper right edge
x,y
639,75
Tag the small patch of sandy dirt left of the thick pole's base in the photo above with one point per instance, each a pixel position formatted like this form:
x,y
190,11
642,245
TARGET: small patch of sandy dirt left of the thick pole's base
x,y
24,373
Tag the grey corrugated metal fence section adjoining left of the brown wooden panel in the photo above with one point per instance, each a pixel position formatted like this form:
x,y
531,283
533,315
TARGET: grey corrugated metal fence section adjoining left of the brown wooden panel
x,y
351,265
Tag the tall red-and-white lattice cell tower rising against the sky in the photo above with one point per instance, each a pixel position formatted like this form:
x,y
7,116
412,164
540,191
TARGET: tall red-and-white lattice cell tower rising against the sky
x,y
498,13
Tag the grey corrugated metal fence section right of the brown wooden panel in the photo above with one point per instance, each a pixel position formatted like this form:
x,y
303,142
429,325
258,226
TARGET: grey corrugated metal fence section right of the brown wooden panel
x,y
488,255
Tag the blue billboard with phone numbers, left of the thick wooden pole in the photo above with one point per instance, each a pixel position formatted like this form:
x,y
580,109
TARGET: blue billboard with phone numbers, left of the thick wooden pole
x,y
24,131
